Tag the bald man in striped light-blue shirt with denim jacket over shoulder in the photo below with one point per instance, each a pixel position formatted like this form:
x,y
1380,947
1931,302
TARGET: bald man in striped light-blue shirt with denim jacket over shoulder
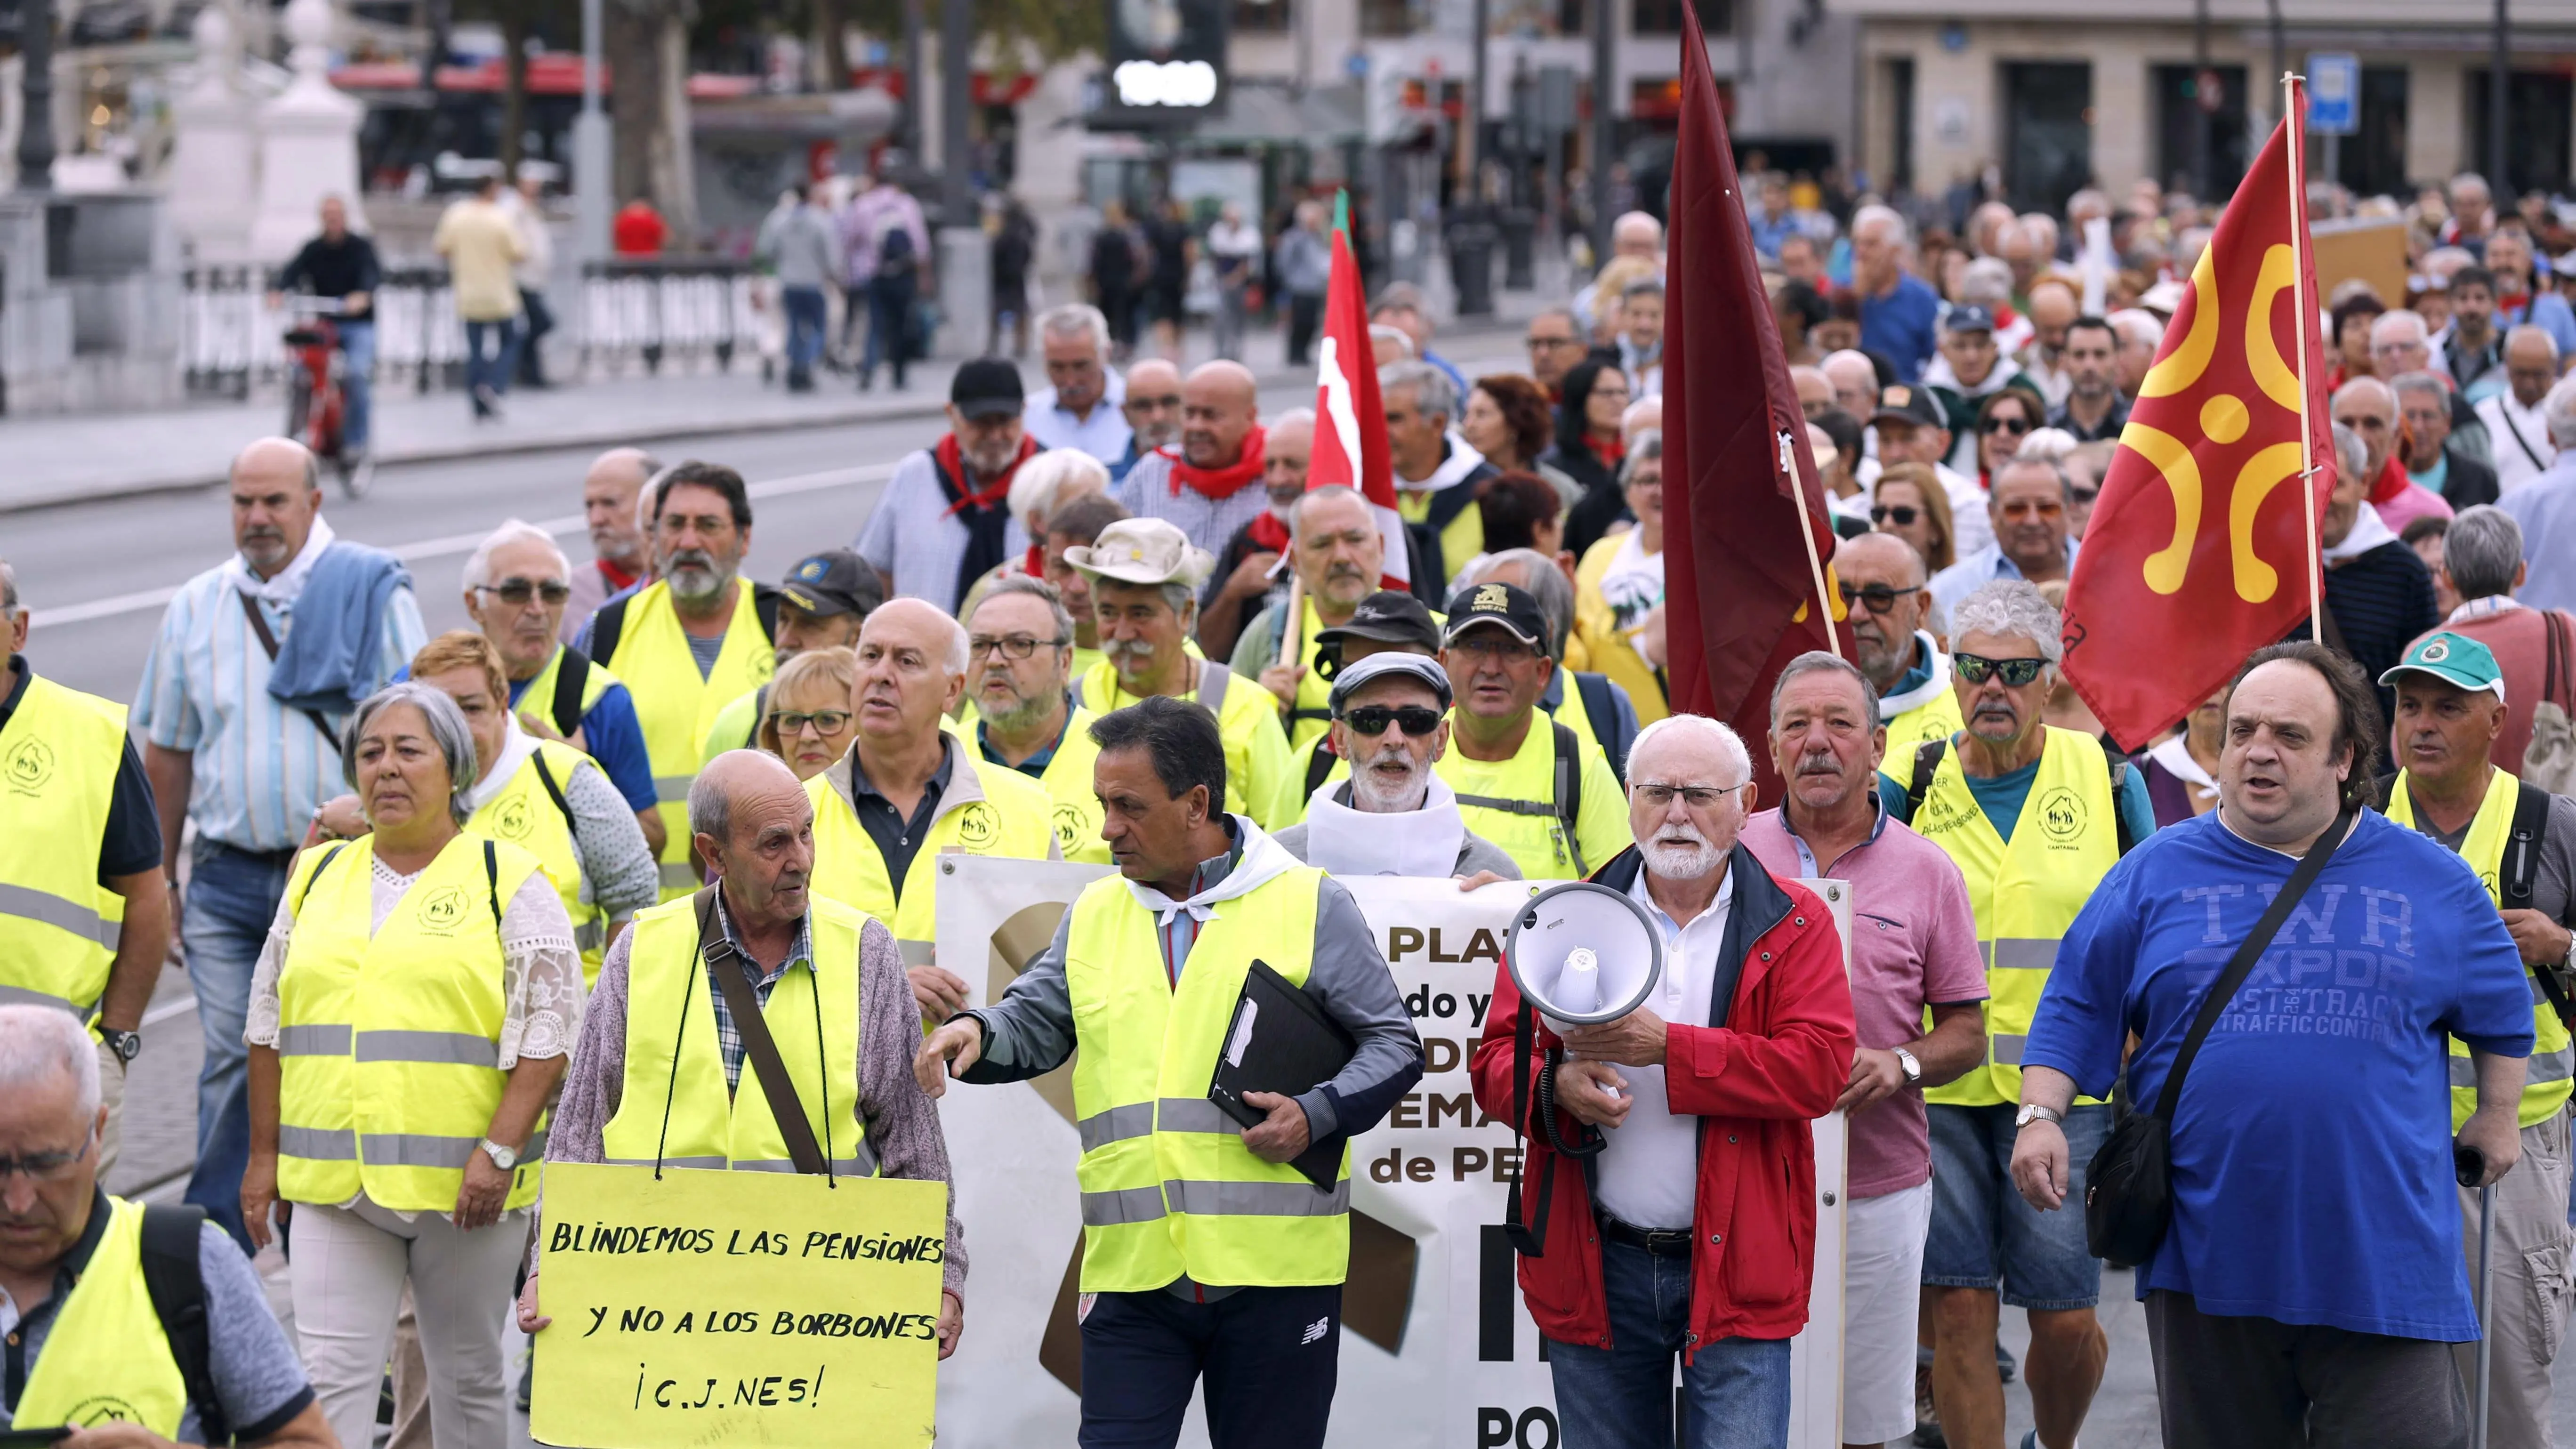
x,y
241,705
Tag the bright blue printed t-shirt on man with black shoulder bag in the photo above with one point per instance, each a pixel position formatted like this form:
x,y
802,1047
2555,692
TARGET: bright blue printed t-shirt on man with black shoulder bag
x,y
2312,1143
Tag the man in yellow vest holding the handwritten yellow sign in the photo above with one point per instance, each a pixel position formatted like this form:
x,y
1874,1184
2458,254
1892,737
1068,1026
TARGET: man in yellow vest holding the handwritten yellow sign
x,y
833,1004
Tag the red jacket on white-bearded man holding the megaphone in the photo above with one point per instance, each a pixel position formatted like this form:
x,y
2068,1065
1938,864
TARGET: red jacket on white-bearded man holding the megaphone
x,y
1756,1084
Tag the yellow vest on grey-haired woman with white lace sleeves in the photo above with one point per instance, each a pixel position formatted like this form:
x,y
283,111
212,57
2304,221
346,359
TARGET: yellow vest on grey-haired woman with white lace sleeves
x,y
390,1045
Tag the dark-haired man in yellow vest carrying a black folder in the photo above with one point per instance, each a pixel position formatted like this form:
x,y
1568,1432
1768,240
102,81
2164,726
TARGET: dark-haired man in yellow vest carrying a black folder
x,y
1204,1254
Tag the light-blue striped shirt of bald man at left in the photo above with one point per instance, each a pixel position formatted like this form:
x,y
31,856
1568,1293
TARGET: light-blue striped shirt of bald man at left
x,y
261,770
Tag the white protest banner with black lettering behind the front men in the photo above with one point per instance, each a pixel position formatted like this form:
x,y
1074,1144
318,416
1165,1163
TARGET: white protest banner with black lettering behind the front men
x,y
1436,1342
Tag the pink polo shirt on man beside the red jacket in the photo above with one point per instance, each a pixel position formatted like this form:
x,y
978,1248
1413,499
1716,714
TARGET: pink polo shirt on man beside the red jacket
x,y
1913,945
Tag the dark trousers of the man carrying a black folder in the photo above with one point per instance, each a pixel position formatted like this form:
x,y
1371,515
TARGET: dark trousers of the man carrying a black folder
x,y
1266,1355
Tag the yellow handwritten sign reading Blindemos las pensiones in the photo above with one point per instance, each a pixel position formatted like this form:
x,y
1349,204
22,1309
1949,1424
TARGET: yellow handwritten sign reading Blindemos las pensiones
x,y
738,1308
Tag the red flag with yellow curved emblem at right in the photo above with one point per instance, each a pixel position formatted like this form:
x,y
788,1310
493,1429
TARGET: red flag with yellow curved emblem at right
x,y
2204,545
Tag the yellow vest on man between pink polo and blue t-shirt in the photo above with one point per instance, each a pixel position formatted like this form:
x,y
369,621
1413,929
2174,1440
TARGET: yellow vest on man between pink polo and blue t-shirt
x,y
2026,893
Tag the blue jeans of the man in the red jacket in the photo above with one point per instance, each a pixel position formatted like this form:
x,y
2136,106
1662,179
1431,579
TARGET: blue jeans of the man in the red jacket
x,y
1735,1391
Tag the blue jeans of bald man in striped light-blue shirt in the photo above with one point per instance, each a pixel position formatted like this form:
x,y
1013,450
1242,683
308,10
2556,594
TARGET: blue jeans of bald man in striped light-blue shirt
x,y
233,896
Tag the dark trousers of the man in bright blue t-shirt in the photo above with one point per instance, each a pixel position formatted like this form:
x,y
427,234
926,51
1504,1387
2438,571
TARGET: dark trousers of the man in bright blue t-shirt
x,y
2258,1383
